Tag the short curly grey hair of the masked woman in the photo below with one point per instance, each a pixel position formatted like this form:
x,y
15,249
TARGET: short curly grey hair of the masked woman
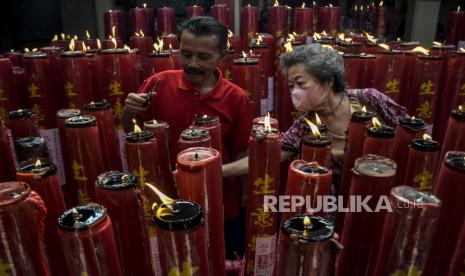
x,y
322,63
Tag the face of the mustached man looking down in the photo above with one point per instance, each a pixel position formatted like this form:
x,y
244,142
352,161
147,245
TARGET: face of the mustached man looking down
x,y
199,56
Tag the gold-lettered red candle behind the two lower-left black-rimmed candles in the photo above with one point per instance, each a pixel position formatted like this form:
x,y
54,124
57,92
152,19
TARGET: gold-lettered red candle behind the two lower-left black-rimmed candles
x,y
83,145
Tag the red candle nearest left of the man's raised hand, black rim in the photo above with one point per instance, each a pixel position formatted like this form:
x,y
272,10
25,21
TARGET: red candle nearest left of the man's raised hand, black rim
x,y
108,141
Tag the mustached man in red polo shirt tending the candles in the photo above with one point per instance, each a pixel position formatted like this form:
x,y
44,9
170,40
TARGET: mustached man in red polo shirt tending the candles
x,y
200,89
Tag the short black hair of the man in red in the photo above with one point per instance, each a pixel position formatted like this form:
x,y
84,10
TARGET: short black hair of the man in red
x,y
206,26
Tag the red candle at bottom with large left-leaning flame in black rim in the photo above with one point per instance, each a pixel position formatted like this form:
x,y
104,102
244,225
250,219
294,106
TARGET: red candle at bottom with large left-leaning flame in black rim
x,y
183,239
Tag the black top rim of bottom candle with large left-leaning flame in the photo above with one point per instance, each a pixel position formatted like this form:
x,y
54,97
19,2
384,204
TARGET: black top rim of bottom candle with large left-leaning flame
x,y
178,216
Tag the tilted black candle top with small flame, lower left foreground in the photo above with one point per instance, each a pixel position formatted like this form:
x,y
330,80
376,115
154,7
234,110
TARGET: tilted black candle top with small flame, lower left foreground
x,y
82,217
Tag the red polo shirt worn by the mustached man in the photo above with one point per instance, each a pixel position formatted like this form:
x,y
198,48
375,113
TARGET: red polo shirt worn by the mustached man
x,y
178,103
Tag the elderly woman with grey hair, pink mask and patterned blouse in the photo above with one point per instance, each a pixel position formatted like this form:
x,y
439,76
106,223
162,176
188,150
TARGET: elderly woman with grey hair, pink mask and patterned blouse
x,y
316,81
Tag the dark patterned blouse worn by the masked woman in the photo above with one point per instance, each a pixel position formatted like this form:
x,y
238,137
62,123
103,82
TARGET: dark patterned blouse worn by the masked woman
x,y
386,109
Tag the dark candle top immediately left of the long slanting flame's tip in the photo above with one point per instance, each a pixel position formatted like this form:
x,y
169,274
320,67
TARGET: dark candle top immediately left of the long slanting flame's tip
x,y
115,180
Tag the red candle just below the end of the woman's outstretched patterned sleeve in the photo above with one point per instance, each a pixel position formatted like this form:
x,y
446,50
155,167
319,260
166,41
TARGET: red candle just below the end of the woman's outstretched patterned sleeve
x,y
407,129
